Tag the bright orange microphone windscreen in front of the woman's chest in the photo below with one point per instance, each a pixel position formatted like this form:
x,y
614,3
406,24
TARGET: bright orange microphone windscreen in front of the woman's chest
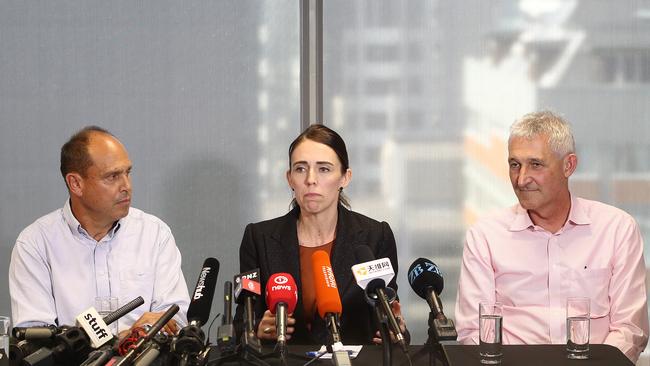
x,y
328,299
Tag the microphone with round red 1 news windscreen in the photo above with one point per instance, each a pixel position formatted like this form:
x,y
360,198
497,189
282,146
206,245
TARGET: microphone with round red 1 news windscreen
x,y
281,297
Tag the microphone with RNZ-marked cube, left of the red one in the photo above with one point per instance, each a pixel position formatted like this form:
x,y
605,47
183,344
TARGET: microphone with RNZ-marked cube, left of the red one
x,y
247,289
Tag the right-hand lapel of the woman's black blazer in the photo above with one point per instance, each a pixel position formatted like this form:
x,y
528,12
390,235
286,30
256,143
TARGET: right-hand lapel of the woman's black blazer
x,y
348,233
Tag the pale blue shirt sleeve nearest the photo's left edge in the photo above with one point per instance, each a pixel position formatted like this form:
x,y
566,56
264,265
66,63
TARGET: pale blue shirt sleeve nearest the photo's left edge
x,y
32,301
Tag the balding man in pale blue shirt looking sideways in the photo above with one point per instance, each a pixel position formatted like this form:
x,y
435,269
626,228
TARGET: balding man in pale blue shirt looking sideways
x,y
97,245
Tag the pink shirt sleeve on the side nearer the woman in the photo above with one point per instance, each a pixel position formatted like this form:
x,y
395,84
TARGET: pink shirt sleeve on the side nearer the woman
x,y
475,284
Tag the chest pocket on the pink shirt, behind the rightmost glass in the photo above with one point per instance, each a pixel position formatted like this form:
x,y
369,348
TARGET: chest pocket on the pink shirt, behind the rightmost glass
x,y
594,284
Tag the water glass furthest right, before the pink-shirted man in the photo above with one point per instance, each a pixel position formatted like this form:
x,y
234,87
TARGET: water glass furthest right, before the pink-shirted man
x,y
577,327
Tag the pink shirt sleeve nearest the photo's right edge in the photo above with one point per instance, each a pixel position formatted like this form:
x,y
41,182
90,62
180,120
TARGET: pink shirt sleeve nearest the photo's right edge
x,y
627,293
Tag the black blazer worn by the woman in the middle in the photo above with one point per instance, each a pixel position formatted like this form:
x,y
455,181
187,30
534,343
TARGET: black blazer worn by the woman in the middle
x,y
272,246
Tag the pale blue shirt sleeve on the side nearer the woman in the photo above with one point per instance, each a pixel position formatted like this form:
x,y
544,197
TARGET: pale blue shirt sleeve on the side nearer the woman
x,y
170,286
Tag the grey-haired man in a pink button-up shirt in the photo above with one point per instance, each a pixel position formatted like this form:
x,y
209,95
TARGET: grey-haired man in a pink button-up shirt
x,y
550,246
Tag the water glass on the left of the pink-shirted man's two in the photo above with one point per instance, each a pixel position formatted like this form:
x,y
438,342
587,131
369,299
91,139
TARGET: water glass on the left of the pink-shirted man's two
x,y
489,327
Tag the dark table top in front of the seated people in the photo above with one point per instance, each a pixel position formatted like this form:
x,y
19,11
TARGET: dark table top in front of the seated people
x,y
529,355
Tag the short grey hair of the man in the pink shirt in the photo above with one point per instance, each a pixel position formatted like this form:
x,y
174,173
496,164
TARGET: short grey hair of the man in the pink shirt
x,y
547,123
